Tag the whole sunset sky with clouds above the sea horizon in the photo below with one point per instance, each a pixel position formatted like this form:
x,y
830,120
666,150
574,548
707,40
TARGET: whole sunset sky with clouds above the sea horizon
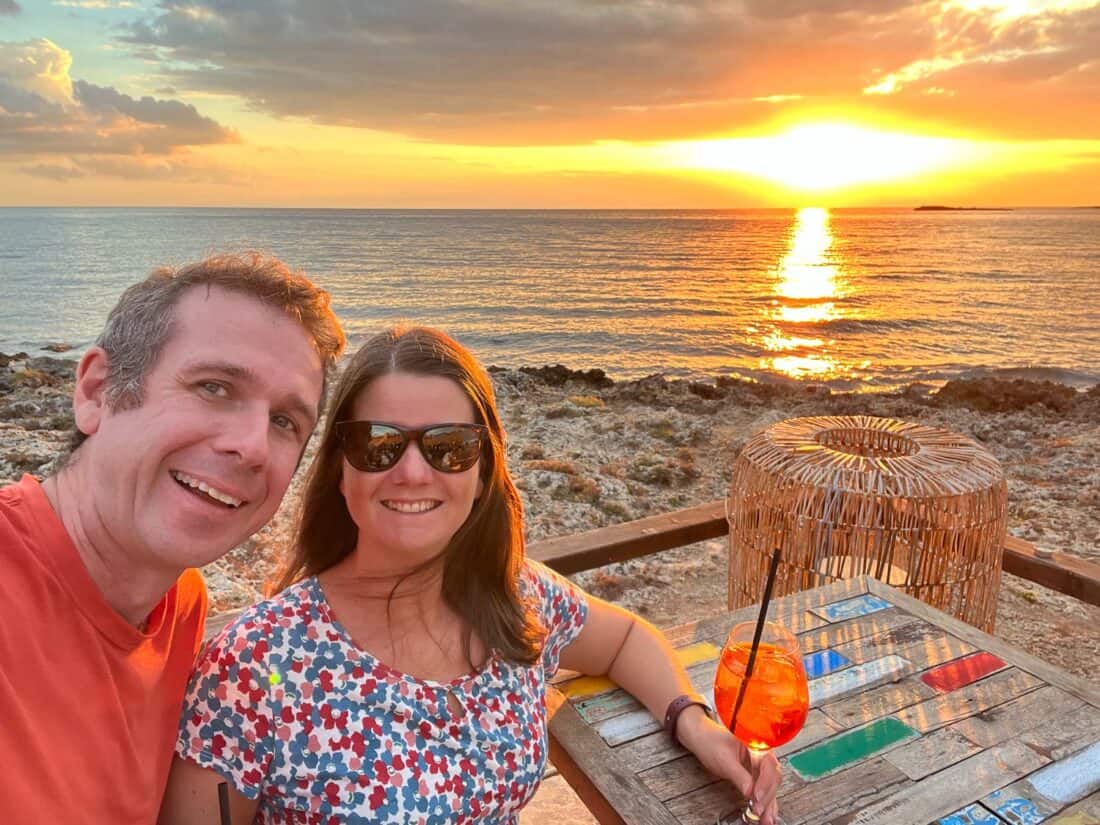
x,y
549,104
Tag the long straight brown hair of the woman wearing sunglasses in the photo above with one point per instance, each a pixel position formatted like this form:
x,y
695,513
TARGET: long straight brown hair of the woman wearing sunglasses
x,y
482,563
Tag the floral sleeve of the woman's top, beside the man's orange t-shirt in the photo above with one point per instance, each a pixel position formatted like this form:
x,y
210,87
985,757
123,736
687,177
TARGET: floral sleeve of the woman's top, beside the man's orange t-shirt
x,y
228,717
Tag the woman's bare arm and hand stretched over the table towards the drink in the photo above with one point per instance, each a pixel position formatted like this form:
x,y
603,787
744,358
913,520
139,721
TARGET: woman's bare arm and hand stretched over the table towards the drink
x,y
634,654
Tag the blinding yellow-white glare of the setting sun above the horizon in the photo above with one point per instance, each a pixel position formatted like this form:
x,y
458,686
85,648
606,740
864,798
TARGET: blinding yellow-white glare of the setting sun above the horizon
x,y
822,157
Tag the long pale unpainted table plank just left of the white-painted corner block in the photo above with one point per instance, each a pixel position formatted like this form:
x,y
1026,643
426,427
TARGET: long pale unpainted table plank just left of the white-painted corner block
x,y
949,790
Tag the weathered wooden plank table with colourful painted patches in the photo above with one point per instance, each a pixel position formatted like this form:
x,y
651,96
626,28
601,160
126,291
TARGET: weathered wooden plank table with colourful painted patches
x,y
916,719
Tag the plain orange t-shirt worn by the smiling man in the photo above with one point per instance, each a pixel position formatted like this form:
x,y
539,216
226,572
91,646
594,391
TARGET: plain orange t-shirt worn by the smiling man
x,y
90,706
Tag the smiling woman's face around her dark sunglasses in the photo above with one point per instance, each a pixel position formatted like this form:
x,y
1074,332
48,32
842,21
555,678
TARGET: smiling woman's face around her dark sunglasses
x,y
410,513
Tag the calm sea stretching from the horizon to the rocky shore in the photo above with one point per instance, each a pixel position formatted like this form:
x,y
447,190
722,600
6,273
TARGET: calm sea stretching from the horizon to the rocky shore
x,y
863,300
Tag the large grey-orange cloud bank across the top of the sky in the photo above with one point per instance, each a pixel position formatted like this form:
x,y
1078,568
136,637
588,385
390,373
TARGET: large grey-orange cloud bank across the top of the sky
x,y
566,71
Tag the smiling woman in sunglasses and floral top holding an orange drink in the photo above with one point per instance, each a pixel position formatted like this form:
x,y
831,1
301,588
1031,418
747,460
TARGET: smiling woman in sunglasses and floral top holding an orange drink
x,y
400,675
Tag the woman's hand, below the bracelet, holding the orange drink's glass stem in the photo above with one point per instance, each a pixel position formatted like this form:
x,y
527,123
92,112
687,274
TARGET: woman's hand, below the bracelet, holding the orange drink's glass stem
x,y
722,754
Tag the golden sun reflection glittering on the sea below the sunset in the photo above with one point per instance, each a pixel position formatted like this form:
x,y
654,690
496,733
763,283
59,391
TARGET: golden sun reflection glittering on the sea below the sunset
x,y
807,289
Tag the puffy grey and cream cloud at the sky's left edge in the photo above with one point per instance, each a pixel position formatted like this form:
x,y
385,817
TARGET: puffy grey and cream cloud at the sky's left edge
x,y
45,113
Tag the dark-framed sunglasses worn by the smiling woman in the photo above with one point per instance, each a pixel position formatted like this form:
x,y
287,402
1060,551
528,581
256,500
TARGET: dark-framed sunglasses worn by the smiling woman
x,y
373,447
